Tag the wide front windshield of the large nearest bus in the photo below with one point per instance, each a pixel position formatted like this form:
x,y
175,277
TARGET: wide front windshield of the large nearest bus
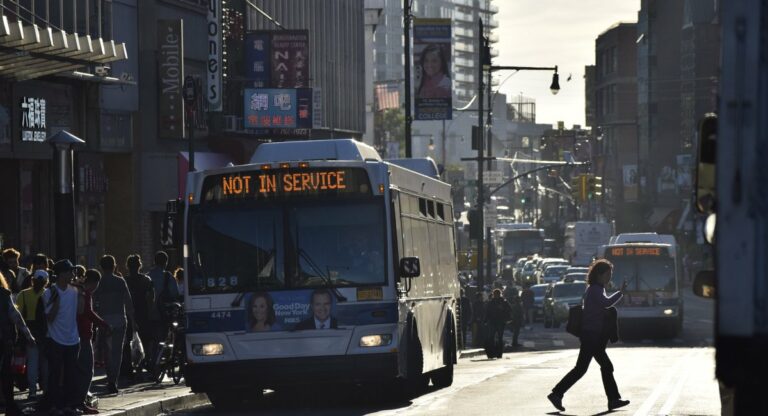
x,y
249,246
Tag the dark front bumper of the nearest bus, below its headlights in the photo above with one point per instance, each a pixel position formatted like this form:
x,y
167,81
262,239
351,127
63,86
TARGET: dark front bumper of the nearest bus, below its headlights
x,y
270,373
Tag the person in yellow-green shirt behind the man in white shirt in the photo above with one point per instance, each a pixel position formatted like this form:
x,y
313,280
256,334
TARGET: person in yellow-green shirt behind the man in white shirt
x,y
26,302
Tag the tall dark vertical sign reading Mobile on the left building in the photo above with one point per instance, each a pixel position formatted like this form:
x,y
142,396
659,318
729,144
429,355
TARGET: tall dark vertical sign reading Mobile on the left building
x,y
170,46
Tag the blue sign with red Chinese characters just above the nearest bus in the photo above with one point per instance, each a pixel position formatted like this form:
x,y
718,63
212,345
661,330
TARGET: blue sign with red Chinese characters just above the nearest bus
x,y
276,108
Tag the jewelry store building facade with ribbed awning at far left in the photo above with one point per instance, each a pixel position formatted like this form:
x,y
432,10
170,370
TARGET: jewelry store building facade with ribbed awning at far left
x,y
61,62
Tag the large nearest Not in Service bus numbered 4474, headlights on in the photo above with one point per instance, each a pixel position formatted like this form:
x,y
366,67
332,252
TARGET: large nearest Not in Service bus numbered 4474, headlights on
x,y
319,262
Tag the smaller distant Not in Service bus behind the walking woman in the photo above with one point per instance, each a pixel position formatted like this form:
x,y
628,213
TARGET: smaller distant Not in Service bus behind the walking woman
x,y
649,263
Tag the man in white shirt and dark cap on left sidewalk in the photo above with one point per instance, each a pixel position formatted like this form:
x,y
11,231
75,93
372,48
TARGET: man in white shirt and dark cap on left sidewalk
x,y
62,302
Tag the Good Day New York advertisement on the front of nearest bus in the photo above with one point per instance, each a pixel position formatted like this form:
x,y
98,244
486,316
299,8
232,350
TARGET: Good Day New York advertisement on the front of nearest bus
x,y
290,310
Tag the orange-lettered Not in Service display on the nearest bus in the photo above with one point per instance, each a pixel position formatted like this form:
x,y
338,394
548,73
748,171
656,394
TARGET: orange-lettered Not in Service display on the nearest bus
x,y
272,184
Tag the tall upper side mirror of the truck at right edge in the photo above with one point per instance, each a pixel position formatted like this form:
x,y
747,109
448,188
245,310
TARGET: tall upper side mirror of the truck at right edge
x,y
705,165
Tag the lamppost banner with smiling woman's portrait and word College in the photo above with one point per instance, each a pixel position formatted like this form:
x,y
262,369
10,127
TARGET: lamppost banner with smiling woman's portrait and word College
x,y
432,60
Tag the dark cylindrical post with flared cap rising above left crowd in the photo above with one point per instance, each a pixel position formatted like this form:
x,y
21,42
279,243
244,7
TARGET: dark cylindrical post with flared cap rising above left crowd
x,y
63,197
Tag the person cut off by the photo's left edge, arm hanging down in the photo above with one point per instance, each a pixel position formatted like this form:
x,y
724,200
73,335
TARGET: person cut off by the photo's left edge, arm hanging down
x,y
9,317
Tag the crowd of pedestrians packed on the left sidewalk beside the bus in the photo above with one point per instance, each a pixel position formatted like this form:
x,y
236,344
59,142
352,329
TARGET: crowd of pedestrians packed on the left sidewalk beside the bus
x,y
59,321
